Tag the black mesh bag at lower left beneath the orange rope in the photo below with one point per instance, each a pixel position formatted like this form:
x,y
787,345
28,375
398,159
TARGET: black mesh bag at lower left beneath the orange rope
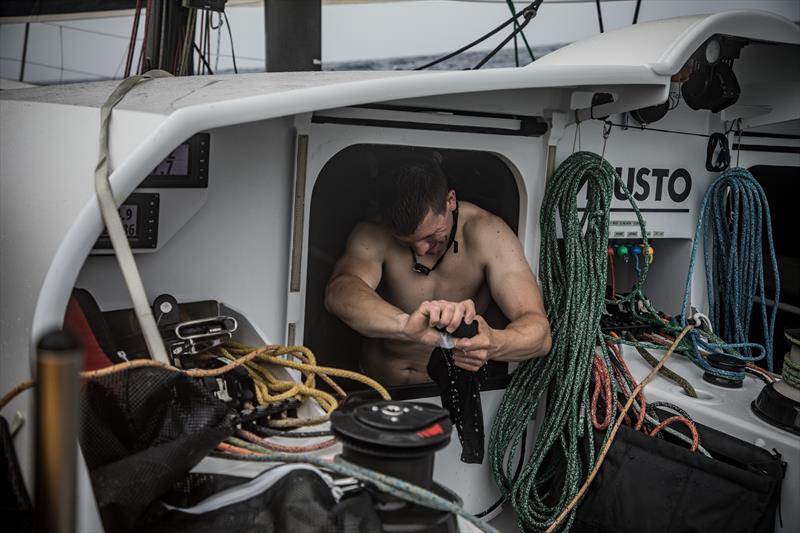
x,y
141,432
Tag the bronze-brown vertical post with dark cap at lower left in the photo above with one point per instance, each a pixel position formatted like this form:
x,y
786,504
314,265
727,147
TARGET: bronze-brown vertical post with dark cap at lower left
x,y
58,365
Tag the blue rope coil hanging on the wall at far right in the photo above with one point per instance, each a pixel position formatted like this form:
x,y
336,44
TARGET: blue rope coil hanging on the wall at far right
x,y
732,216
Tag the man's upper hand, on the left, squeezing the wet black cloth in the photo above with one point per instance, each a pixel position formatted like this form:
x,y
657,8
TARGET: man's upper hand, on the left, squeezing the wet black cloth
x,y
421,325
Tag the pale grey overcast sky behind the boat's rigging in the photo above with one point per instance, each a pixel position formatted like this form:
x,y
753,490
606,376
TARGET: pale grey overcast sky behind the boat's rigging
x,y
96,48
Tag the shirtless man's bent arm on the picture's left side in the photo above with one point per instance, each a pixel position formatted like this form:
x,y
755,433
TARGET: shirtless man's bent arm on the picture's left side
x,y
351,293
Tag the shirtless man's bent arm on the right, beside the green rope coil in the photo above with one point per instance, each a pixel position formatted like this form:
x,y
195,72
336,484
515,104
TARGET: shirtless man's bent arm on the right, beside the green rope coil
x,y
515,291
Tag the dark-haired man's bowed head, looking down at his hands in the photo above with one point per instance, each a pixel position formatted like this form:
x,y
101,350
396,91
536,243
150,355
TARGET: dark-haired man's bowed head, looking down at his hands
x,y
416,205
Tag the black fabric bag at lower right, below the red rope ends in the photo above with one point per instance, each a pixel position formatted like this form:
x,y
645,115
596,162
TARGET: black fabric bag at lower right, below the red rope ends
x,y
654,485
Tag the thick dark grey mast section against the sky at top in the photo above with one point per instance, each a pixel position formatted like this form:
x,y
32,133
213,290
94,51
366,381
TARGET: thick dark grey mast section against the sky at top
x,y
293,35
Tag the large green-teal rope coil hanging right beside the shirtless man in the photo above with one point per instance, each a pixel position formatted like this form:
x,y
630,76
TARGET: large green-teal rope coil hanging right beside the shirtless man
x,y
573,285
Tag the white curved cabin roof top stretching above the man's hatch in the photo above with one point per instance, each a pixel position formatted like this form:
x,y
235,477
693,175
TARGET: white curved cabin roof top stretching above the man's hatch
x,y
643,54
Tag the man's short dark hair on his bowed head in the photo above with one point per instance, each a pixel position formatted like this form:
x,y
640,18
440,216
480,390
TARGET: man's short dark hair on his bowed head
x,y
408,190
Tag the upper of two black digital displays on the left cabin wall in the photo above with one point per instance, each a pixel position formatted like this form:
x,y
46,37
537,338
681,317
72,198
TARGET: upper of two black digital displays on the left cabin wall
x,y
185,167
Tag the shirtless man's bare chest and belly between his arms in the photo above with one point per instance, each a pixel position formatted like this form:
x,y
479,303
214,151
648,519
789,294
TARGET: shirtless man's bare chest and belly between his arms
x,y
458,277
